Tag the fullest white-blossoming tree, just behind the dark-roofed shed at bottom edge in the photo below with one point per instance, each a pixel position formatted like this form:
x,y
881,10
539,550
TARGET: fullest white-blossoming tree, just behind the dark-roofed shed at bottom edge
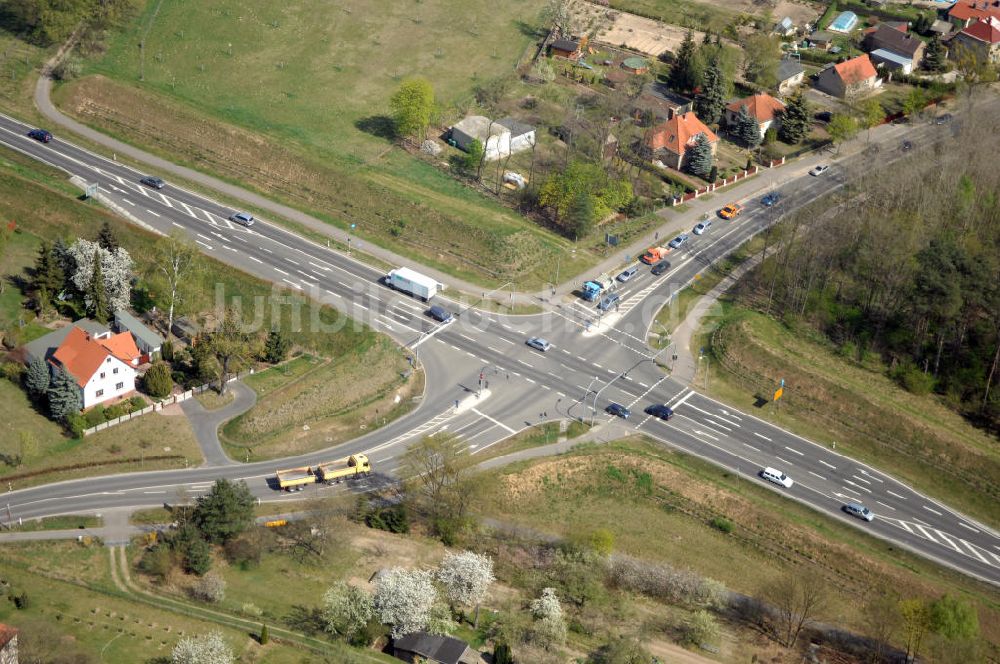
x,y
403,599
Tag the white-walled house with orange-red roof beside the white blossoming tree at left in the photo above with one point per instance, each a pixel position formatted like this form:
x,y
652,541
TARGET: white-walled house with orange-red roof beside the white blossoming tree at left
x,y
103,366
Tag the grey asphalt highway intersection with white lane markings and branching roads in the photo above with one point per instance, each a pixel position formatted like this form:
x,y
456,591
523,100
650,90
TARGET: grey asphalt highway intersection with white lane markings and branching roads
x,y
485,384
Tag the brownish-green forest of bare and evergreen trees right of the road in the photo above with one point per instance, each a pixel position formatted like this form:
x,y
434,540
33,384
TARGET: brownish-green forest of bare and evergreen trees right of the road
x,y
906,265
